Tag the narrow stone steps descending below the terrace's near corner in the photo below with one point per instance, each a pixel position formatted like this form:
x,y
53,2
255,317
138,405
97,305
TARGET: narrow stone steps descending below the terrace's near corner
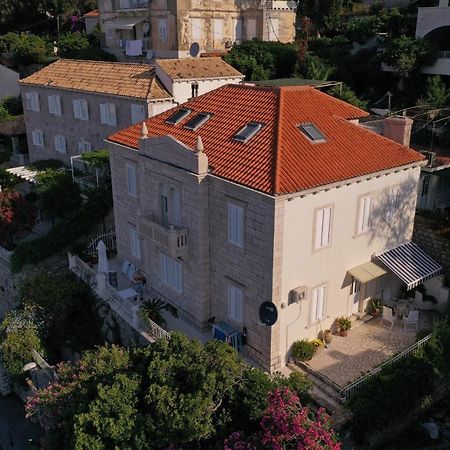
x,y
325,394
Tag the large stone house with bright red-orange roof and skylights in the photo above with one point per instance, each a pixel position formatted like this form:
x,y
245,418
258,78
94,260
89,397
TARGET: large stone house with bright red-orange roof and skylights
x,y
253,194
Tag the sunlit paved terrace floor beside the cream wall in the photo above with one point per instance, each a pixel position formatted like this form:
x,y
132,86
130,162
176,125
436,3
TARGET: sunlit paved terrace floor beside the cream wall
x,y
364,349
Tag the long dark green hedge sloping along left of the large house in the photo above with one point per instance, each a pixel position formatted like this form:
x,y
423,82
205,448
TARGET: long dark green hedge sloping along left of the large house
x,y
65,232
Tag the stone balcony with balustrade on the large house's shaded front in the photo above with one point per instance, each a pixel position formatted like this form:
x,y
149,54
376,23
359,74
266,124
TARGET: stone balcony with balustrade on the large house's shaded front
x,y
173,240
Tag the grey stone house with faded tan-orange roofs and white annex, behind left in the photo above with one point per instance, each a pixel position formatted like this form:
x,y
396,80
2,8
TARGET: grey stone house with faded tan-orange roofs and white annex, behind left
x,y
72,105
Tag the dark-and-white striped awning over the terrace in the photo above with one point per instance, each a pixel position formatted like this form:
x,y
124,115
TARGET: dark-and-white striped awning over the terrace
x,y
411,264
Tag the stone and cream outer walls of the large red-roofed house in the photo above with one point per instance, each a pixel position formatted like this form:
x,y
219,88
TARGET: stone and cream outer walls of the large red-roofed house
x,y
277,254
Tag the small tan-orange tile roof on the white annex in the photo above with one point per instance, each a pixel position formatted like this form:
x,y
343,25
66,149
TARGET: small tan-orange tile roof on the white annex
x,y
188,68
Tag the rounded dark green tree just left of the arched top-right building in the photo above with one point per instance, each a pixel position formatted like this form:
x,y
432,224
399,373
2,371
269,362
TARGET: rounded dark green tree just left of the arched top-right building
x,y
407,54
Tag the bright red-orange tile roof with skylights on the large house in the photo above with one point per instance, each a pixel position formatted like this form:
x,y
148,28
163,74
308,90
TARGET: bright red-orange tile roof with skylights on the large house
x,y
279,159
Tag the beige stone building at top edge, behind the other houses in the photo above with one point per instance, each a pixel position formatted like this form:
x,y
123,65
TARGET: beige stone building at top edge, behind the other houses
x,y
142,29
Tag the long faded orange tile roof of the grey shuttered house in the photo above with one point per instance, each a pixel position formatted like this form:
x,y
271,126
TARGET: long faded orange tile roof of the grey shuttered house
x,y
128,80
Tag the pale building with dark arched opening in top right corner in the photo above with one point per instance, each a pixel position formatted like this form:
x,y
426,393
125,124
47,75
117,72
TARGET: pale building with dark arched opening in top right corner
x,y
433,24
